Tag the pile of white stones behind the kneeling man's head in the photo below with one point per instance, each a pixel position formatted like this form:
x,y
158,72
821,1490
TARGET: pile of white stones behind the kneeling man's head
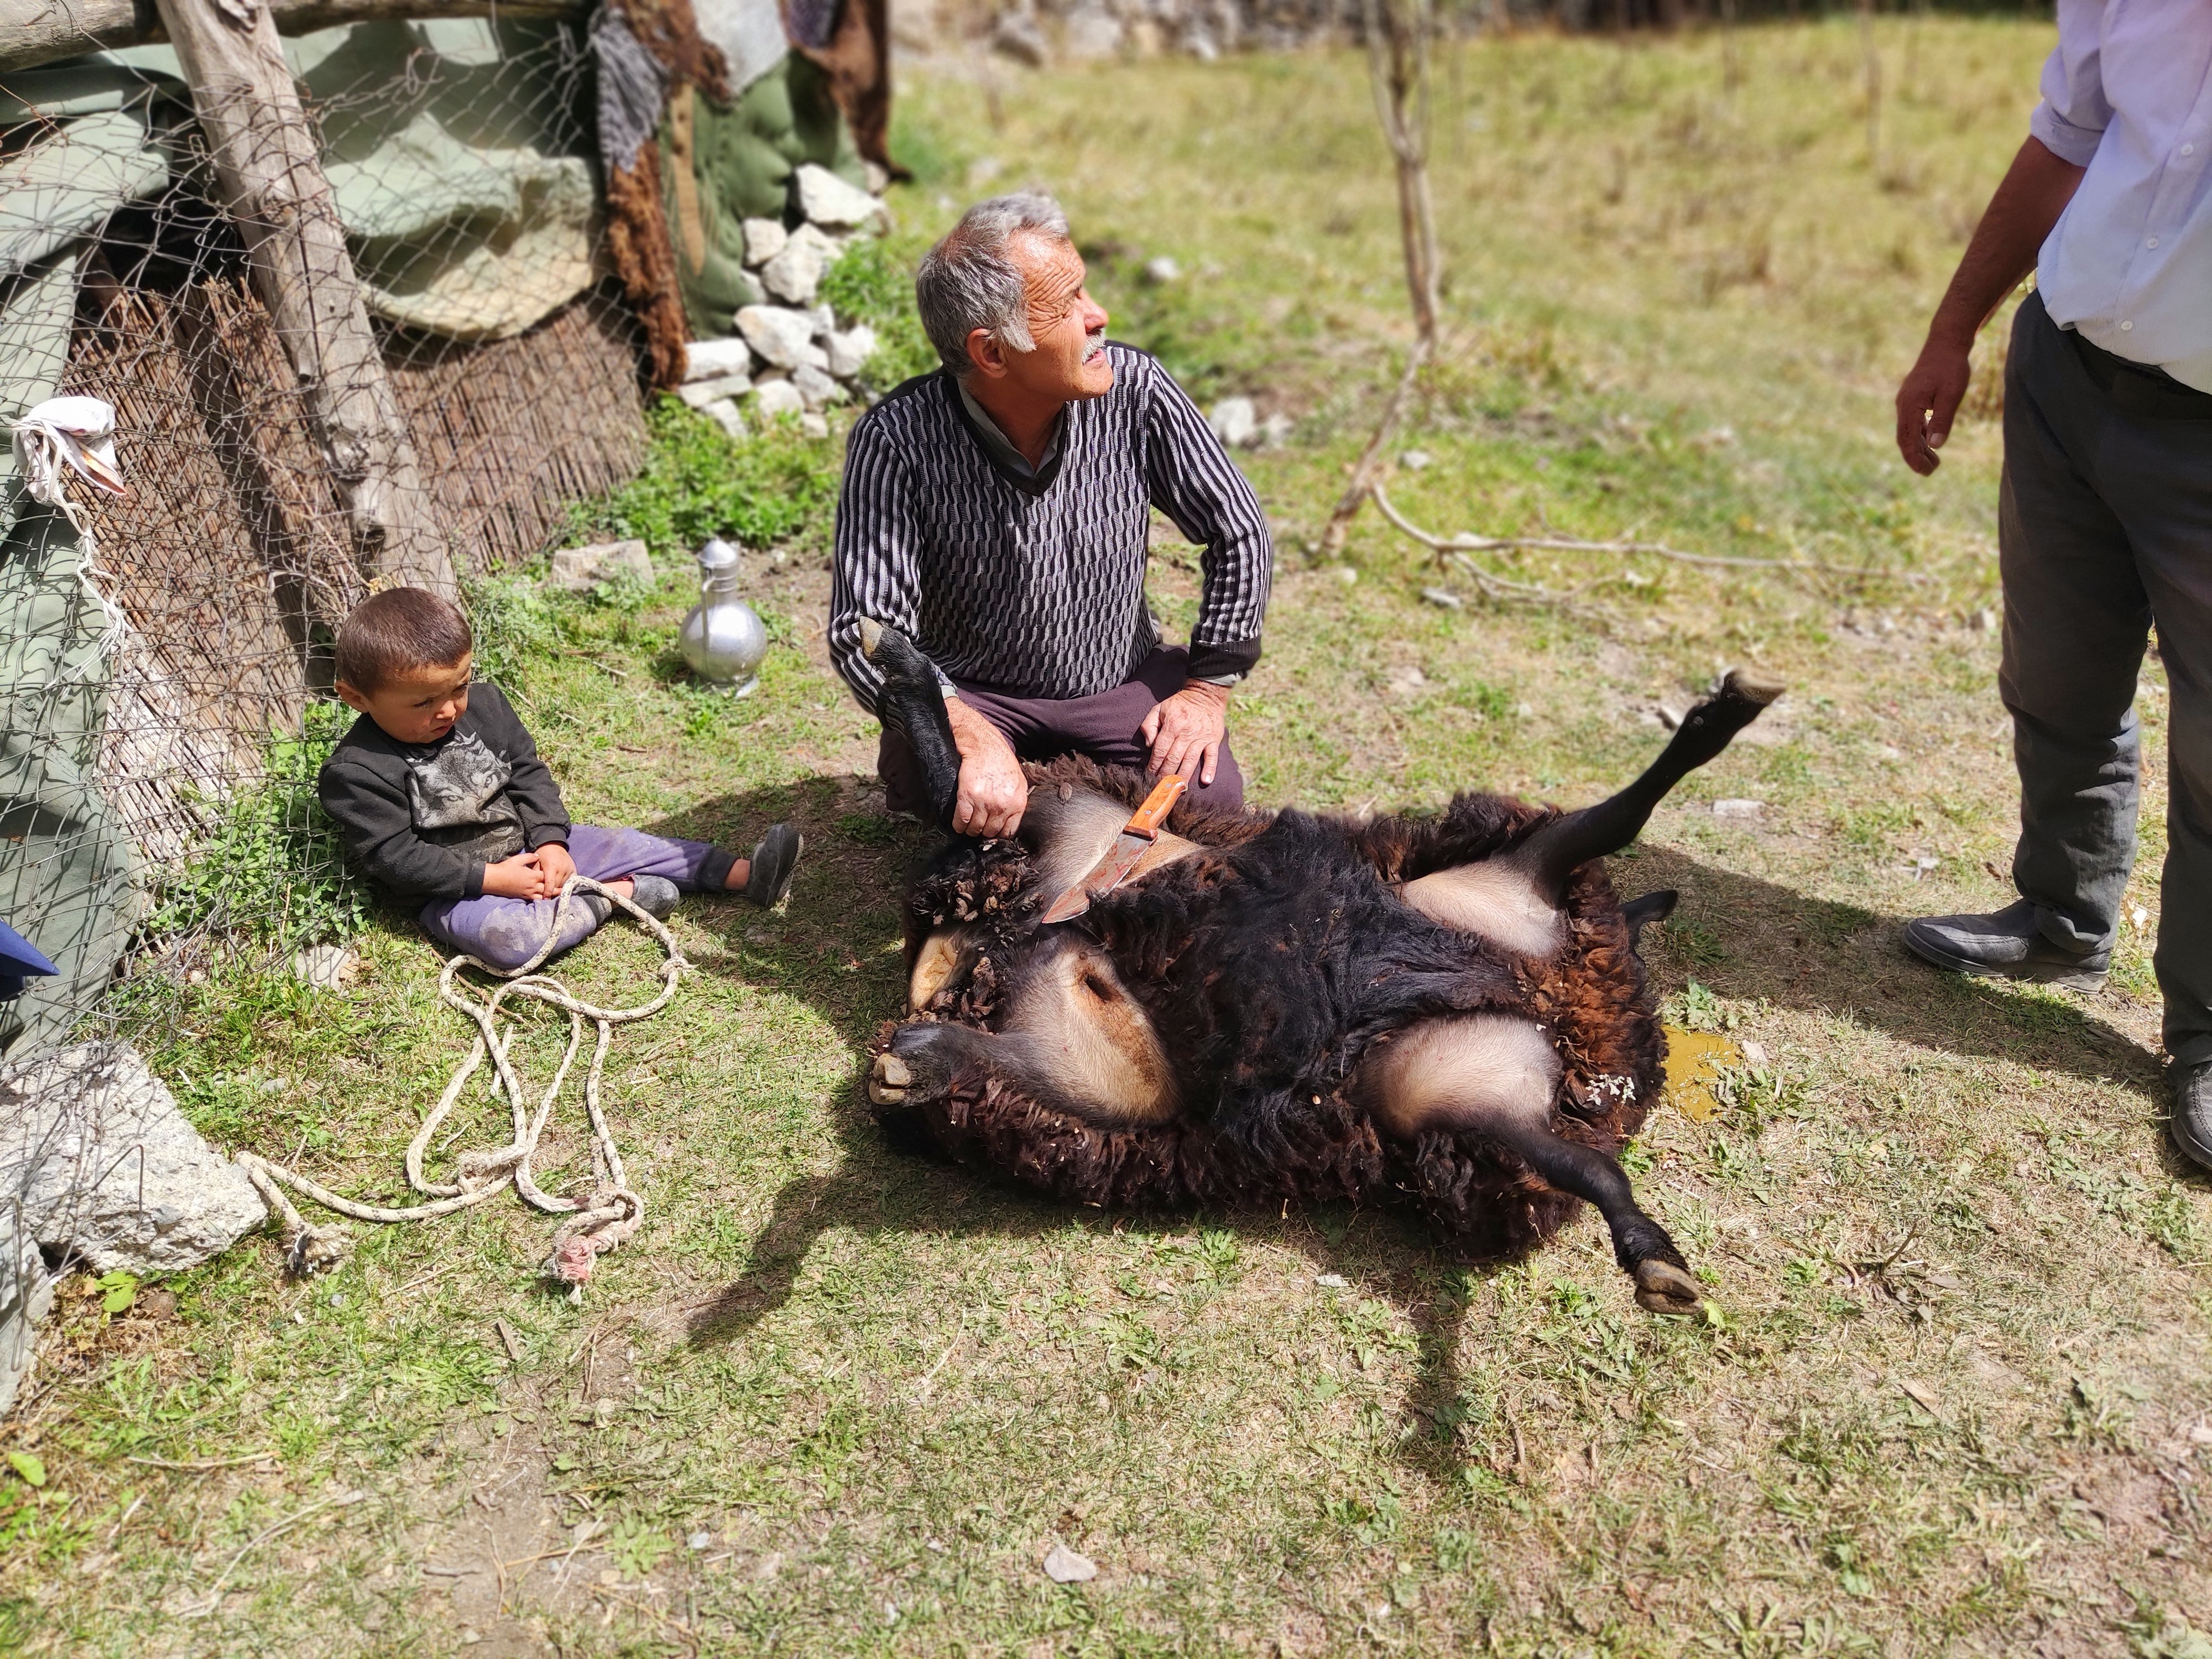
x,y
789,353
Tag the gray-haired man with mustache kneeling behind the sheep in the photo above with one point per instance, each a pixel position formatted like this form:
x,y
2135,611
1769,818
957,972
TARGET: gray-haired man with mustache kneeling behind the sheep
x,y
997,512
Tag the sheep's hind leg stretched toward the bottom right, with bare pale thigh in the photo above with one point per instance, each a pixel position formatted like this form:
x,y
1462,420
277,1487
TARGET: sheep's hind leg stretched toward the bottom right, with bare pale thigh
x,y
1494,1076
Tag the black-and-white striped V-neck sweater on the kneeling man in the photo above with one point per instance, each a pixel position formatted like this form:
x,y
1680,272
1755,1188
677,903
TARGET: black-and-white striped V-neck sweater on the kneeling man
x,y
1034,587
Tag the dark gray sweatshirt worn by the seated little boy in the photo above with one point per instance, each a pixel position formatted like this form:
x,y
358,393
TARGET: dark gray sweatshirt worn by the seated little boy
x,y
428,817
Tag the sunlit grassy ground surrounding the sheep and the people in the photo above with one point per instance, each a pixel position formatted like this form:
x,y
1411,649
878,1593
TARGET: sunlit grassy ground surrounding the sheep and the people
x,y
1954,1397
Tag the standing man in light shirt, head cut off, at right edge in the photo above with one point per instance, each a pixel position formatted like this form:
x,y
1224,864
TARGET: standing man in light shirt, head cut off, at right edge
x,y
2105,519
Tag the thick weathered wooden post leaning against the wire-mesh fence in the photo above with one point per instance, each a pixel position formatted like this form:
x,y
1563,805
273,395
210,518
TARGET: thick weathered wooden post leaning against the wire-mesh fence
x,y
278,196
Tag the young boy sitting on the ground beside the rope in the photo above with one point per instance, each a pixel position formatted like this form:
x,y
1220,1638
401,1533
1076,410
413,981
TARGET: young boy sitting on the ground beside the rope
x,y
441,795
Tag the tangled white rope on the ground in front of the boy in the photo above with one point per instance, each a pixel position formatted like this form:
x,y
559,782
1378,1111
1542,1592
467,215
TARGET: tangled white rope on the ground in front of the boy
x,y
594,1224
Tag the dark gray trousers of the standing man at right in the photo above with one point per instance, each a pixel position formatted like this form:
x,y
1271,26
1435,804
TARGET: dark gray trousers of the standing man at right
x,y
2105,525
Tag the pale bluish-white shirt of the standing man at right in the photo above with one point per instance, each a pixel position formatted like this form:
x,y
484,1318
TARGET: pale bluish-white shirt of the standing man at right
x,y
2129,264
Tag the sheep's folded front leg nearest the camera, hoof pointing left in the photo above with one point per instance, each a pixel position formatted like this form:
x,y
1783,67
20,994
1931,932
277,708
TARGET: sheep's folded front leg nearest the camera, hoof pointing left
x,y
1074,1041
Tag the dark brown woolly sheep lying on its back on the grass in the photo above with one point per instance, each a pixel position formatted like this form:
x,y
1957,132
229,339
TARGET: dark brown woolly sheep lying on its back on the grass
x,y
1293,1008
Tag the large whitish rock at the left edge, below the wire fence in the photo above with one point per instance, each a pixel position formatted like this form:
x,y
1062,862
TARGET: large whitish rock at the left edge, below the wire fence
x,y
109,1171
